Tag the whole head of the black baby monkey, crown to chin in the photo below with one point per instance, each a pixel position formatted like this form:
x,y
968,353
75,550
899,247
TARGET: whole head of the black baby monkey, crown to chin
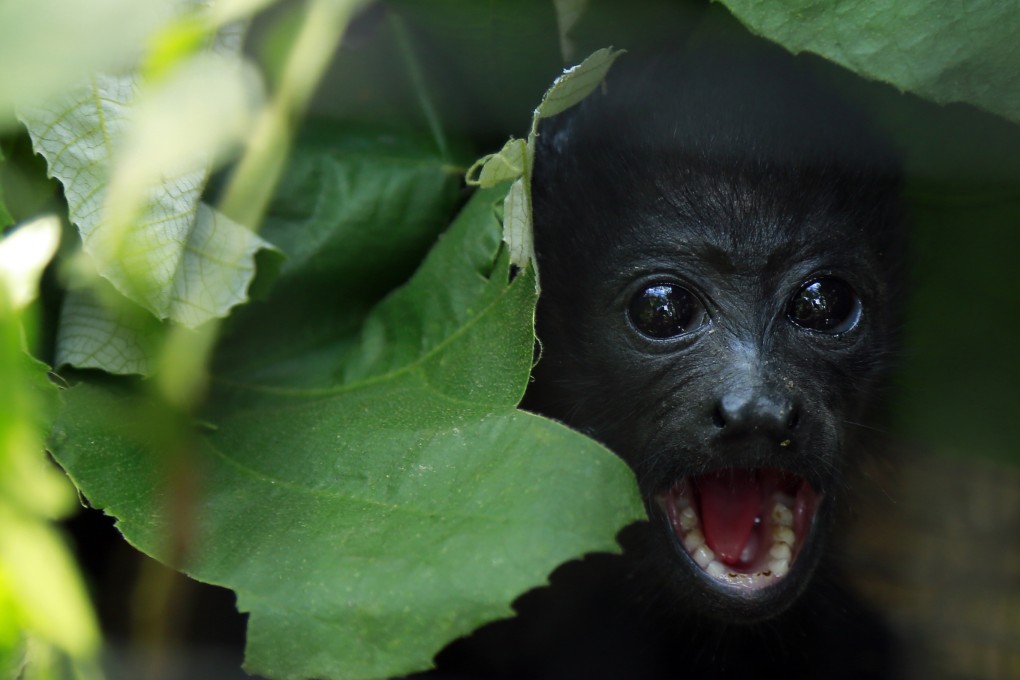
x,y
720,244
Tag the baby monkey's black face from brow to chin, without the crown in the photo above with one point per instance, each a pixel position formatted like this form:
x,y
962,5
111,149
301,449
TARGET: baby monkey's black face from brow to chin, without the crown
x,y
729,362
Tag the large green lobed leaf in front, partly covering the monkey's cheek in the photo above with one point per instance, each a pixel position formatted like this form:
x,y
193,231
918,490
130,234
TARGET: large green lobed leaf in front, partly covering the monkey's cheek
x,y
366,524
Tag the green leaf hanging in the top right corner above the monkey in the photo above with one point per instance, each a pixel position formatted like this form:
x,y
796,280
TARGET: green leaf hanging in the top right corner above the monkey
x,y
971,56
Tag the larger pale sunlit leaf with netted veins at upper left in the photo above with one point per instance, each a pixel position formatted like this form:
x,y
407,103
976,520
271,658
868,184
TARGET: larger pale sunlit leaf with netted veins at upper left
x,y
181,259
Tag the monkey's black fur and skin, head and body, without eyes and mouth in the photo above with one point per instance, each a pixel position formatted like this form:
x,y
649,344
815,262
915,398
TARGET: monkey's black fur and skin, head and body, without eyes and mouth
x,y
738,177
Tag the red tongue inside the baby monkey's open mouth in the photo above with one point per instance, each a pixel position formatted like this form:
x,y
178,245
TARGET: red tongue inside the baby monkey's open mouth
x,y
730,504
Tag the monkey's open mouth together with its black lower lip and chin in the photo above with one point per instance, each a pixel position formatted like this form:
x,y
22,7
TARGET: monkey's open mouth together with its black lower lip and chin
x,y
750,538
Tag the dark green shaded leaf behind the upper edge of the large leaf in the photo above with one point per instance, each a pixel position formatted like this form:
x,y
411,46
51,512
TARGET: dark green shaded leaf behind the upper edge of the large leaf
x,y
356,213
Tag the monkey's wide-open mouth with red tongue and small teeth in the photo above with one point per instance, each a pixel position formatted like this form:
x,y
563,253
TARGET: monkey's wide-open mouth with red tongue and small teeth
x,y
743,528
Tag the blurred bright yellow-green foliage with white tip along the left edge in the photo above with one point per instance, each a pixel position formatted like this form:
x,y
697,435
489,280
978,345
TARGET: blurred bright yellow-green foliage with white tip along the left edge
x,y
43,603
